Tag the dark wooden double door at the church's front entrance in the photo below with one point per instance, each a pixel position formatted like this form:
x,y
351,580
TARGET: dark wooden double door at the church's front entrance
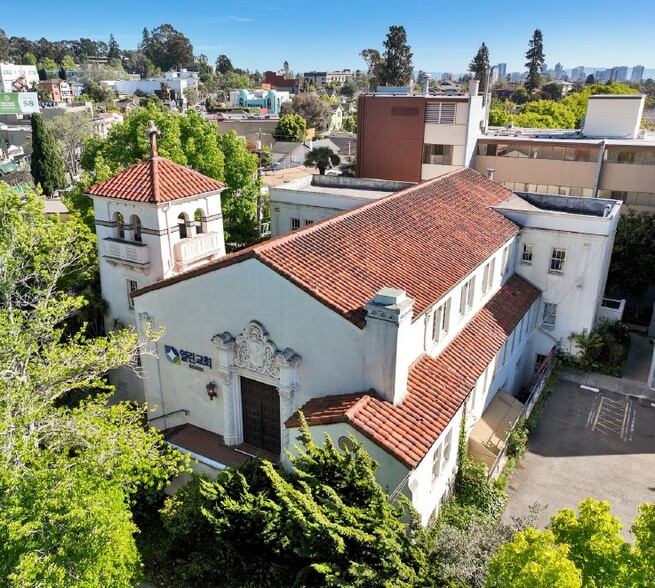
x,y
260,405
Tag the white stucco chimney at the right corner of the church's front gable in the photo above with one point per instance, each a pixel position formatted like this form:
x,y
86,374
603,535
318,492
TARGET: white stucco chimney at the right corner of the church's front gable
x,y
388,348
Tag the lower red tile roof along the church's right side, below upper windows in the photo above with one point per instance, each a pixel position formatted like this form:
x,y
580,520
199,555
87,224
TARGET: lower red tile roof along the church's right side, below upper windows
x,y
437,387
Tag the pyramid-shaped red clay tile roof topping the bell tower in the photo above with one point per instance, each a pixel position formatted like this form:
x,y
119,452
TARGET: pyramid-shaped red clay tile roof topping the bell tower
x,y
155,180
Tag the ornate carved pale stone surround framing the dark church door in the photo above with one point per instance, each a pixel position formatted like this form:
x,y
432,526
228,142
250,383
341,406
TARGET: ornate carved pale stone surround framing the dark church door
x,y
253,355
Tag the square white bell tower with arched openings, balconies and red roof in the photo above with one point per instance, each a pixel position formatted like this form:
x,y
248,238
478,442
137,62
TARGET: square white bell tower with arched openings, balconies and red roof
x,y
153,220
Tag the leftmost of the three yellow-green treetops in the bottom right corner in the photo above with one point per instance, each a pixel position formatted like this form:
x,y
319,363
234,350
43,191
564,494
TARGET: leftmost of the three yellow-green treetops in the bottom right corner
x,y
532,560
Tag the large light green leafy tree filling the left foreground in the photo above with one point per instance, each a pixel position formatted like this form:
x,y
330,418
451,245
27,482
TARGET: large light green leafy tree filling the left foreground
x,y
69,462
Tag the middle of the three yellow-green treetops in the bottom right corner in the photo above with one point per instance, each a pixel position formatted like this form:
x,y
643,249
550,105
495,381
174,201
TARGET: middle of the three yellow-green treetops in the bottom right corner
x,y
595,544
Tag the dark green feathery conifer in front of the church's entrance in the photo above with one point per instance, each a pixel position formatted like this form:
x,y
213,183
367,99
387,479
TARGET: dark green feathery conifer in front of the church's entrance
x,y
325,523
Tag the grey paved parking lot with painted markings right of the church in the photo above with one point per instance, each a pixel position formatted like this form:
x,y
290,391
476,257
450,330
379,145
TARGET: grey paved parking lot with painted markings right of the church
x,y
588,444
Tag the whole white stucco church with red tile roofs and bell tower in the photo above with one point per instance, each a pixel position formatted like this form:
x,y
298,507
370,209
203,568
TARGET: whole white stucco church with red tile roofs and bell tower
x,y
386,322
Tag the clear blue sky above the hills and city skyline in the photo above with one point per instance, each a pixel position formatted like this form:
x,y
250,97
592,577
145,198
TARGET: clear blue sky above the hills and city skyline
x,y
444,35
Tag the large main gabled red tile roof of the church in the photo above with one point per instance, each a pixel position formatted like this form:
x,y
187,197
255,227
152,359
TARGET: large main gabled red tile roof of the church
x,y
424,240
